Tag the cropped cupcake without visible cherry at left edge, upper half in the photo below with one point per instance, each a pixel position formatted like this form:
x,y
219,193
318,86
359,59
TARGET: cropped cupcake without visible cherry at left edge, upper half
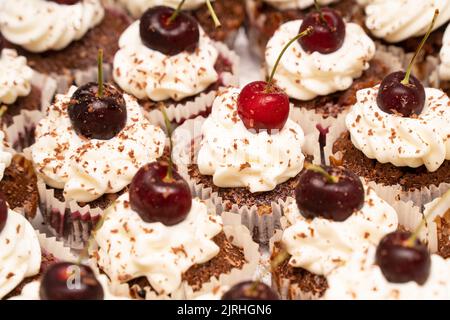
x,y
23,95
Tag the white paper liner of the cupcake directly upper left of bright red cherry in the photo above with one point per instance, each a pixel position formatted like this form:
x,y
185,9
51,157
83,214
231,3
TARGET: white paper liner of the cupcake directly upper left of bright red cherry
x,y
201,105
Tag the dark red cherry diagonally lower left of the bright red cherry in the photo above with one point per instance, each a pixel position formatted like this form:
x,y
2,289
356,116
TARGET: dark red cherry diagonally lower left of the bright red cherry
x,y
158,198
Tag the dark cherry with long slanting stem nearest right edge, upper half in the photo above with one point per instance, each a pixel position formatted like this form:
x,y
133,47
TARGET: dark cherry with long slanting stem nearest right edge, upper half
x,y
404,99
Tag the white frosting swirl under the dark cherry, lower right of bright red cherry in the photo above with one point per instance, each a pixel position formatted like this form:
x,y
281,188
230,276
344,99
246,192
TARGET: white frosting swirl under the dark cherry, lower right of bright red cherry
x,y
320,245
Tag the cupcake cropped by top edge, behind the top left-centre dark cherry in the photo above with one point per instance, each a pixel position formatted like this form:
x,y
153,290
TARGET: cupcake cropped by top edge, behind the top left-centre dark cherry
x,y
231,13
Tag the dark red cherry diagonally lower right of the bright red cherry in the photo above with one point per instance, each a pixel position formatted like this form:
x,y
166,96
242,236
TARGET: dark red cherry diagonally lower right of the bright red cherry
x,y
329,192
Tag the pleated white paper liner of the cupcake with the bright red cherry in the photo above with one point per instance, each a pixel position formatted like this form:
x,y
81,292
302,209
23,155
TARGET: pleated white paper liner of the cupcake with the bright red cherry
x,y
262,225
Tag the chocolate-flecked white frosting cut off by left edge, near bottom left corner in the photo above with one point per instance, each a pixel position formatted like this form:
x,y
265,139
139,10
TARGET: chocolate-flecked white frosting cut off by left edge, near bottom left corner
x,y
20,252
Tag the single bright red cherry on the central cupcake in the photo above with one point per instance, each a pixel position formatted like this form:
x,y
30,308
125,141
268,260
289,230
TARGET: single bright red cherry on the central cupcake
x,y
263,106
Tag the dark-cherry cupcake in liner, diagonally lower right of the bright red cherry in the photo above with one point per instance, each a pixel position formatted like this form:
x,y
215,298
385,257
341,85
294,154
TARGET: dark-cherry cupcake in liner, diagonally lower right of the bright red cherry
x,y
333,217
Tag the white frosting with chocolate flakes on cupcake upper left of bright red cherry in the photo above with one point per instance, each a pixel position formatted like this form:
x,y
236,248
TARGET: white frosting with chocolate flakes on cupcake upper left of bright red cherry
x,y
150,74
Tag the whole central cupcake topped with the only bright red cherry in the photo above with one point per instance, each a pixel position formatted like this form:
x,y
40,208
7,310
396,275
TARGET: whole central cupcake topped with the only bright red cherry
x,y
246,171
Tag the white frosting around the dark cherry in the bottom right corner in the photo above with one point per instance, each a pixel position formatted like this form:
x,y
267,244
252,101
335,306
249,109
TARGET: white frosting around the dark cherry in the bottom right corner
x,y
362,279
